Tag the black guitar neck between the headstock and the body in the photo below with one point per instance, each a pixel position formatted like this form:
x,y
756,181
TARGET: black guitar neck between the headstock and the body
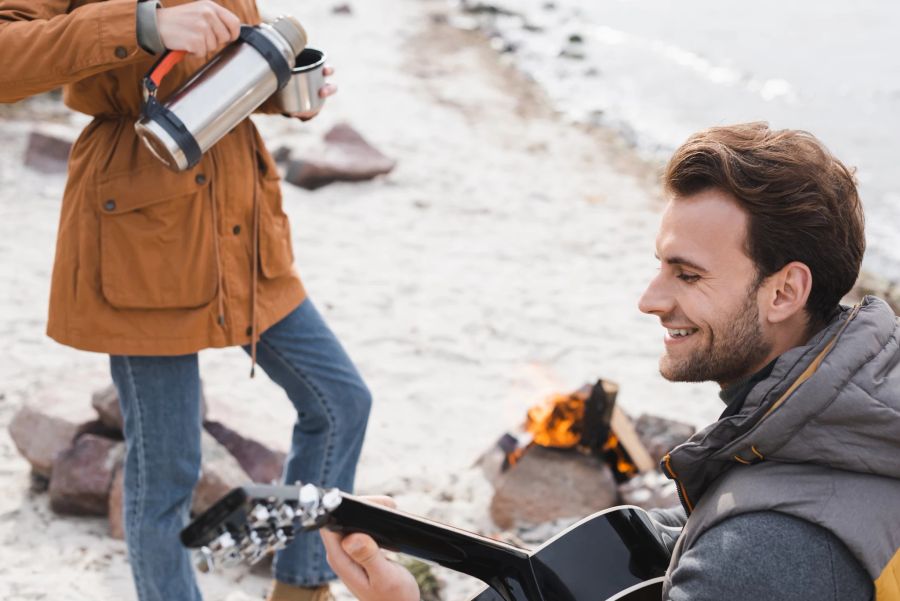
x,y
506,568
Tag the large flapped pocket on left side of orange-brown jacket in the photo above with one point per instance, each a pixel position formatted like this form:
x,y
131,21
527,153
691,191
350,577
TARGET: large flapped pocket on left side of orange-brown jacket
x,y
157,249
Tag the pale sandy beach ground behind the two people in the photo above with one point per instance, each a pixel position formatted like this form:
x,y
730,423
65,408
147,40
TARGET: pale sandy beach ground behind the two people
x,y
500,262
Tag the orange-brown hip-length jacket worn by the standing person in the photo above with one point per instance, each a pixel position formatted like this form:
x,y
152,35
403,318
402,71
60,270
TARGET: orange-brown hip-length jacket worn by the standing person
x,y
148,261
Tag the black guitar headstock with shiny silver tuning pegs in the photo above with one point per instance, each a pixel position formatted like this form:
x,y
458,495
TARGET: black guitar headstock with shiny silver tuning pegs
x,y
252,521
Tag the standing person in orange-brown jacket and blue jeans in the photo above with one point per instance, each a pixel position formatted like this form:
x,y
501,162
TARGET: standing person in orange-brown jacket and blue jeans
x,y
152,266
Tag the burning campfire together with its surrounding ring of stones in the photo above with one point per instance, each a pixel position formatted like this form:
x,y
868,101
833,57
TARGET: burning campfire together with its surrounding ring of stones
x,y
576,454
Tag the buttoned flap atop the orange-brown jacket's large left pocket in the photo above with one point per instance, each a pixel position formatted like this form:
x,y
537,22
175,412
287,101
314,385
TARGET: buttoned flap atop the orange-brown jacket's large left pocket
x,y
135,190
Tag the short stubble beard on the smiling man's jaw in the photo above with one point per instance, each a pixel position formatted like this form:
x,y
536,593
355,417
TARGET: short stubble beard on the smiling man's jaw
x,y
729,354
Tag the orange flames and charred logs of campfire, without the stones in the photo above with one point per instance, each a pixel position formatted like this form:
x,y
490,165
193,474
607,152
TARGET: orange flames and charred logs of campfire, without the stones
x,y
586,421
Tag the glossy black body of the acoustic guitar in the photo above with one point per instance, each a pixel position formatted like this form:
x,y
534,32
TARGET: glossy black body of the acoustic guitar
x,y
611,555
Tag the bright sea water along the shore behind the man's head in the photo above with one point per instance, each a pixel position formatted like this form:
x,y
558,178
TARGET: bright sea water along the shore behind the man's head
x,y
658,70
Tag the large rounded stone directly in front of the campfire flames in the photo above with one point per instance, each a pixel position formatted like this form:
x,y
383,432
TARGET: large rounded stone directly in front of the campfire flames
x,y
548,484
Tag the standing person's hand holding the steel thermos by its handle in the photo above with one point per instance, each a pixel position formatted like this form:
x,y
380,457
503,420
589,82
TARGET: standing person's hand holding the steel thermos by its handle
x,y
199,28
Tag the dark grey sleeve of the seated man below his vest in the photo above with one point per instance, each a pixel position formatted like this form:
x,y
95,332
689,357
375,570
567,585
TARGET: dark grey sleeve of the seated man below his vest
x,y
772,556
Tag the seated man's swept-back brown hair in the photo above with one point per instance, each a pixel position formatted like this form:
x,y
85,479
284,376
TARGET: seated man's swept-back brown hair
x,y
801,201
